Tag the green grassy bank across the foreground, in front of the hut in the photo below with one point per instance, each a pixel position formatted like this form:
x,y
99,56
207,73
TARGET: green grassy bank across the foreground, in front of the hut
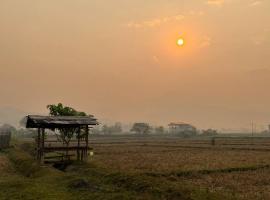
x,y
30,181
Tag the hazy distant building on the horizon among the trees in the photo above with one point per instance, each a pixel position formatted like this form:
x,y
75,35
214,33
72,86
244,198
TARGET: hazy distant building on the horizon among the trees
x,y
181,128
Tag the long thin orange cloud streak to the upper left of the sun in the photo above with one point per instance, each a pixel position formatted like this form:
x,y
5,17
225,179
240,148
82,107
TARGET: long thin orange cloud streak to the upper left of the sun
x,y
155,22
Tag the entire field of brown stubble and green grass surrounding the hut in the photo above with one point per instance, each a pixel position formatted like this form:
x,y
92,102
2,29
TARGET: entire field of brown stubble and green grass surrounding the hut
x,y
144,167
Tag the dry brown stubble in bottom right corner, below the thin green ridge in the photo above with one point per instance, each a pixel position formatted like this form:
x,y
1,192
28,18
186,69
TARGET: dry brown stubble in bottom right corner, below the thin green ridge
x,y
246,185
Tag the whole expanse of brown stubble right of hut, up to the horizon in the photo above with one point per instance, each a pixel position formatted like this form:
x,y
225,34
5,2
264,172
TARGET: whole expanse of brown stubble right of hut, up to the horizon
x,y
241,169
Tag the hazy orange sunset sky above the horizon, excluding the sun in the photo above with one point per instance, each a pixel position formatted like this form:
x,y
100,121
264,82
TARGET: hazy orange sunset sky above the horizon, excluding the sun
x,y
119,60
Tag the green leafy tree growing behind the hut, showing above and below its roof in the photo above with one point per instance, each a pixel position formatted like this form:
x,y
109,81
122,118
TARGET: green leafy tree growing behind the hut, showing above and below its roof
x,y
65,134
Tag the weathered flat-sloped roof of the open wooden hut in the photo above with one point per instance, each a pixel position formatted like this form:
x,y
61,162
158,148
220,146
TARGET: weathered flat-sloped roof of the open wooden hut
x,y
36,121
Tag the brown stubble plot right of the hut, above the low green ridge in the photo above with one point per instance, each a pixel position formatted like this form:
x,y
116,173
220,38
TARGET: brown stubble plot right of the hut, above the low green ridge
x,y
157,159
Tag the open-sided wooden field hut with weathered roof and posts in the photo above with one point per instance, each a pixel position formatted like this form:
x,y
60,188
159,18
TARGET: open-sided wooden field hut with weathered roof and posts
x,y
78,124
